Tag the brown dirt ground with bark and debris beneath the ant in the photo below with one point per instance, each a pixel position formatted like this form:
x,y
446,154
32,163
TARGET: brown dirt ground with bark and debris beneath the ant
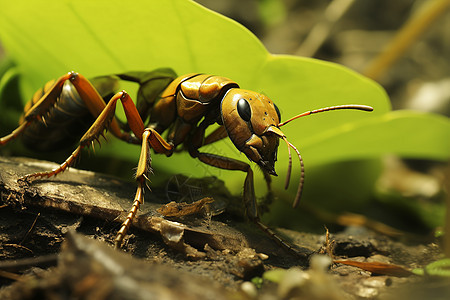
x,y
57,235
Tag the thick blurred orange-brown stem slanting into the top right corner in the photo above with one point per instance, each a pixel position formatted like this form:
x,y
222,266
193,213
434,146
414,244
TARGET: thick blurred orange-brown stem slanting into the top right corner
x,y
415,26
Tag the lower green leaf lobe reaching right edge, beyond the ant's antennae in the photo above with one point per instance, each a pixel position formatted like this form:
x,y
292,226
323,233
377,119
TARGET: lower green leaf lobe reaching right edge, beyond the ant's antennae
x,y
408,133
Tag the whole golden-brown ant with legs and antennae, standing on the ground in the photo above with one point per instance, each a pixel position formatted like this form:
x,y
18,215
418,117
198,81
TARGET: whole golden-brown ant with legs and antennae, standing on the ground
x,y
183,107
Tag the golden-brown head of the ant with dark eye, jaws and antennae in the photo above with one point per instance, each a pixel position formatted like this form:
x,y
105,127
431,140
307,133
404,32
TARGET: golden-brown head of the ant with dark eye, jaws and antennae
x,y
253,124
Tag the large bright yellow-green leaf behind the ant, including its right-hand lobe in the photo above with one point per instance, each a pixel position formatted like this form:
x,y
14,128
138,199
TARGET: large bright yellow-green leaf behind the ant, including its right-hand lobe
x,y
49,38
